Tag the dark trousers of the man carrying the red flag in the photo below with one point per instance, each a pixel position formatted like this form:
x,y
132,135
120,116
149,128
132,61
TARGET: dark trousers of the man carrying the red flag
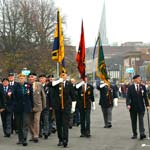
x,y
85,121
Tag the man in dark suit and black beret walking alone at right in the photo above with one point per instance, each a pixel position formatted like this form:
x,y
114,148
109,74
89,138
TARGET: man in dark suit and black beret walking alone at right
x,y
136,101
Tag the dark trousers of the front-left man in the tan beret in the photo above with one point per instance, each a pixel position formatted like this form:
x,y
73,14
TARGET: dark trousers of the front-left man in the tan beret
x,y
22,119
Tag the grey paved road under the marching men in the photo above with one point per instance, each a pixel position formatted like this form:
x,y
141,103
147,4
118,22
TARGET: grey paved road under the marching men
x,y
116,138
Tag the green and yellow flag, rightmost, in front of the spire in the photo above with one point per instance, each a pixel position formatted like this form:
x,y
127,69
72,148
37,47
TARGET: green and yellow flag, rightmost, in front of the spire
x,y
101,70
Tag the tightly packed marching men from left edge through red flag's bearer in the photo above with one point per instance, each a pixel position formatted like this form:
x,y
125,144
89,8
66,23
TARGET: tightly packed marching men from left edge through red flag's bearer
x,y
29,104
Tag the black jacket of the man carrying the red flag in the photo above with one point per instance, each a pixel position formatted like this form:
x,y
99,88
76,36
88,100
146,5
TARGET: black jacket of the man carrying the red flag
x,y
89,97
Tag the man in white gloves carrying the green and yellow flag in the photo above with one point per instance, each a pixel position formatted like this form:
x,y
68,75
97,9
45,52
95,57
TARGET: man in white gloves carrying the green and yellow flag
x,y
108,95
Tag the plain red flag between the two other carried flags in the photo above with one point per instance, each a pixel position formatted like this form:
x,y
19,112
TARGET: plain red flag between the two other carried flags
x,y
80,57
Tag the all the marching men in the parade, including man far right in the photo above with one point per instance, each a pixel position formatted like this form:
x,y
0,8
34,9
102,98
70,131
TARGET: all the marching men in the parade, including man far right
x,y
42,105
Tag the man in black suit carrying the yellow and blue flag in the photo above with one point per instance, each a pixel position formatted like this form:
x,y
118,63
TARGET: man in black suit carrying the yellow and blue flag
x,y
63,95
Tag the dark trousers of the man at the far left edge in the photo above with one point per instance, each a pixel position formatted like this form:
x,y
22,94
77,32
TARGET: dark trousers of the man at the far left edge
x,y
6,118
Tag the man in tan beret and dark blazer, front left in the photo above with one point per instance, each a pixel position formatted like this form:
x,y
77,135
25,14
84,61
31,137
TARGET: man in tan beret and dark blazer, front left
x,y
23,107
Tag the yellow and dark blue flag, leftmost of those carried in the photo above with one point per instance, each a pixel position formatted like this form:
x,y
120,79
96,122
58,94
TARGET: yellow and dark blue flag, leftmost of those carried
x,y
58,46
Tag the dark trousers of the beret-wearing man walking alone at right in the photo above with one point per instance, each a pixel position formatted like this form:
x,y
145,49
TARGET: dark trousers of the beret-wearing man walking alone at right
x,y
133,115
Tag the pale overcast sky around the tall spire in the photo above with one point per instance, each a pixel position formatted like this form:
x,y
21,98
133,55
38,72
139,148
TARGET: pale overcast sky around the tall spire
x,y
127,20
